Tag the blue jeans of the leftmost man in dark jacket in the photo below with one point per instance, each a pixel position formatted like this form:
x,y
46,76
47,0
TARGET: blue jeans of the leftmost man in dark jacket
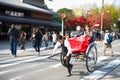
x,y
13,45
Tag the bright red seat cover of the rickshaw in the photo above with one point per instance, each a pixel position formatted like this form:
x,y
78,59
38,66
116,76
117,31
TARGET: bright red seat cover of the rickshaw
x,y
79,44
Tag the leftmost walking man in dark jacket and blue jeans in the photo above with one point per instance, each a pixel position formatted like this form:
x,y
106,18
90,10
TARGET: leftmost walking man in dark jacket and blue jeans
x,y
13,36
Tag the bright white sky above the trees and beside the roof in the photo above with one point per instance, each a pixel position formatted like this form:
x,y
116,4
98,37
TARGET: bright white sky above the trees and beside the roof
x,y
57,4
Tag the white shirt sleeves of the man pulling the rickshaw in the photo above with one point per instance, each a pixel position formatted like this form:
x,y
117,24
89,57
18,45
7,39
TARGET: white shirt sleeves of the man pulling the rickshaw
x,y
66,44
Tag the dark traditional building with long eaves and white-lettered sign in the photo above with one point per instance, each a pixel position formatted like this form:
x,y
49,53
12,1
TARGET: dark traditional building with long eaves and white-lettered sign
x,y
26,14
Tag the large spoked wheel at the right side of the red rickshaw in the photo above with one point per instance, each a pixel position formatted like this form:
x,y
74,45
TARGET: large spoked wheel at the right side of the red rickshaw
x,y
91,58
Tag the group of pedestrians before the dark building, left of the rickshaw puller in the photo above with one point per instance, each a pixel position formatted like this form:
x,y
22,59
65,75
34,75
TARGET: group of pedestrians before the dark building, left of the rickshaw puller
x,y
18,37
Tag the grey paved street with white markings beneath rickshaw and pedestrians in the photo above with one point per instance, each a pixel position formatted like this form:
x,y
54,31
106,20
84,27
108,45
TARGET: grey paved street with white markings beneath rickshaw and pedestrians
x,y
29,66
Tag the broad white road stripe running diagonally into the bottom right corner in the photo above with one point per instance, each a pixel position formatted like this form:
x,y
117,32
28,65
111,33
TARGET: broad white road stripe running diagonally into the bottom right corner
x,y
96,75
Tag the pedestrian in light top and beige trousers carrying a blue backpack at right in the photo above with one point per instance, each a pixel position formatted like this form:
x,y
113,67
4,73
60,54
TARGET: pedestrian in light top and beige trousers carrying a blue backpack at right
x,y
107,44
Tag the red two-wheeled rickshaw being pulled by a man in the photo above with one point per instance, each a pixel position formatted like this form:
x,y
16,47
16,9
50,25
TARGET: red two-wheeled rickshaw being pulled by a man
x,y
83,45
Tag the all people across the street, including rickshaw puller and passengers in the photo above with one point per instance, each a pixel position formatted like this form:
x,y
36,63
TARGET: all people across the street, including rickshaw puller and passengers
x,y
38,37
